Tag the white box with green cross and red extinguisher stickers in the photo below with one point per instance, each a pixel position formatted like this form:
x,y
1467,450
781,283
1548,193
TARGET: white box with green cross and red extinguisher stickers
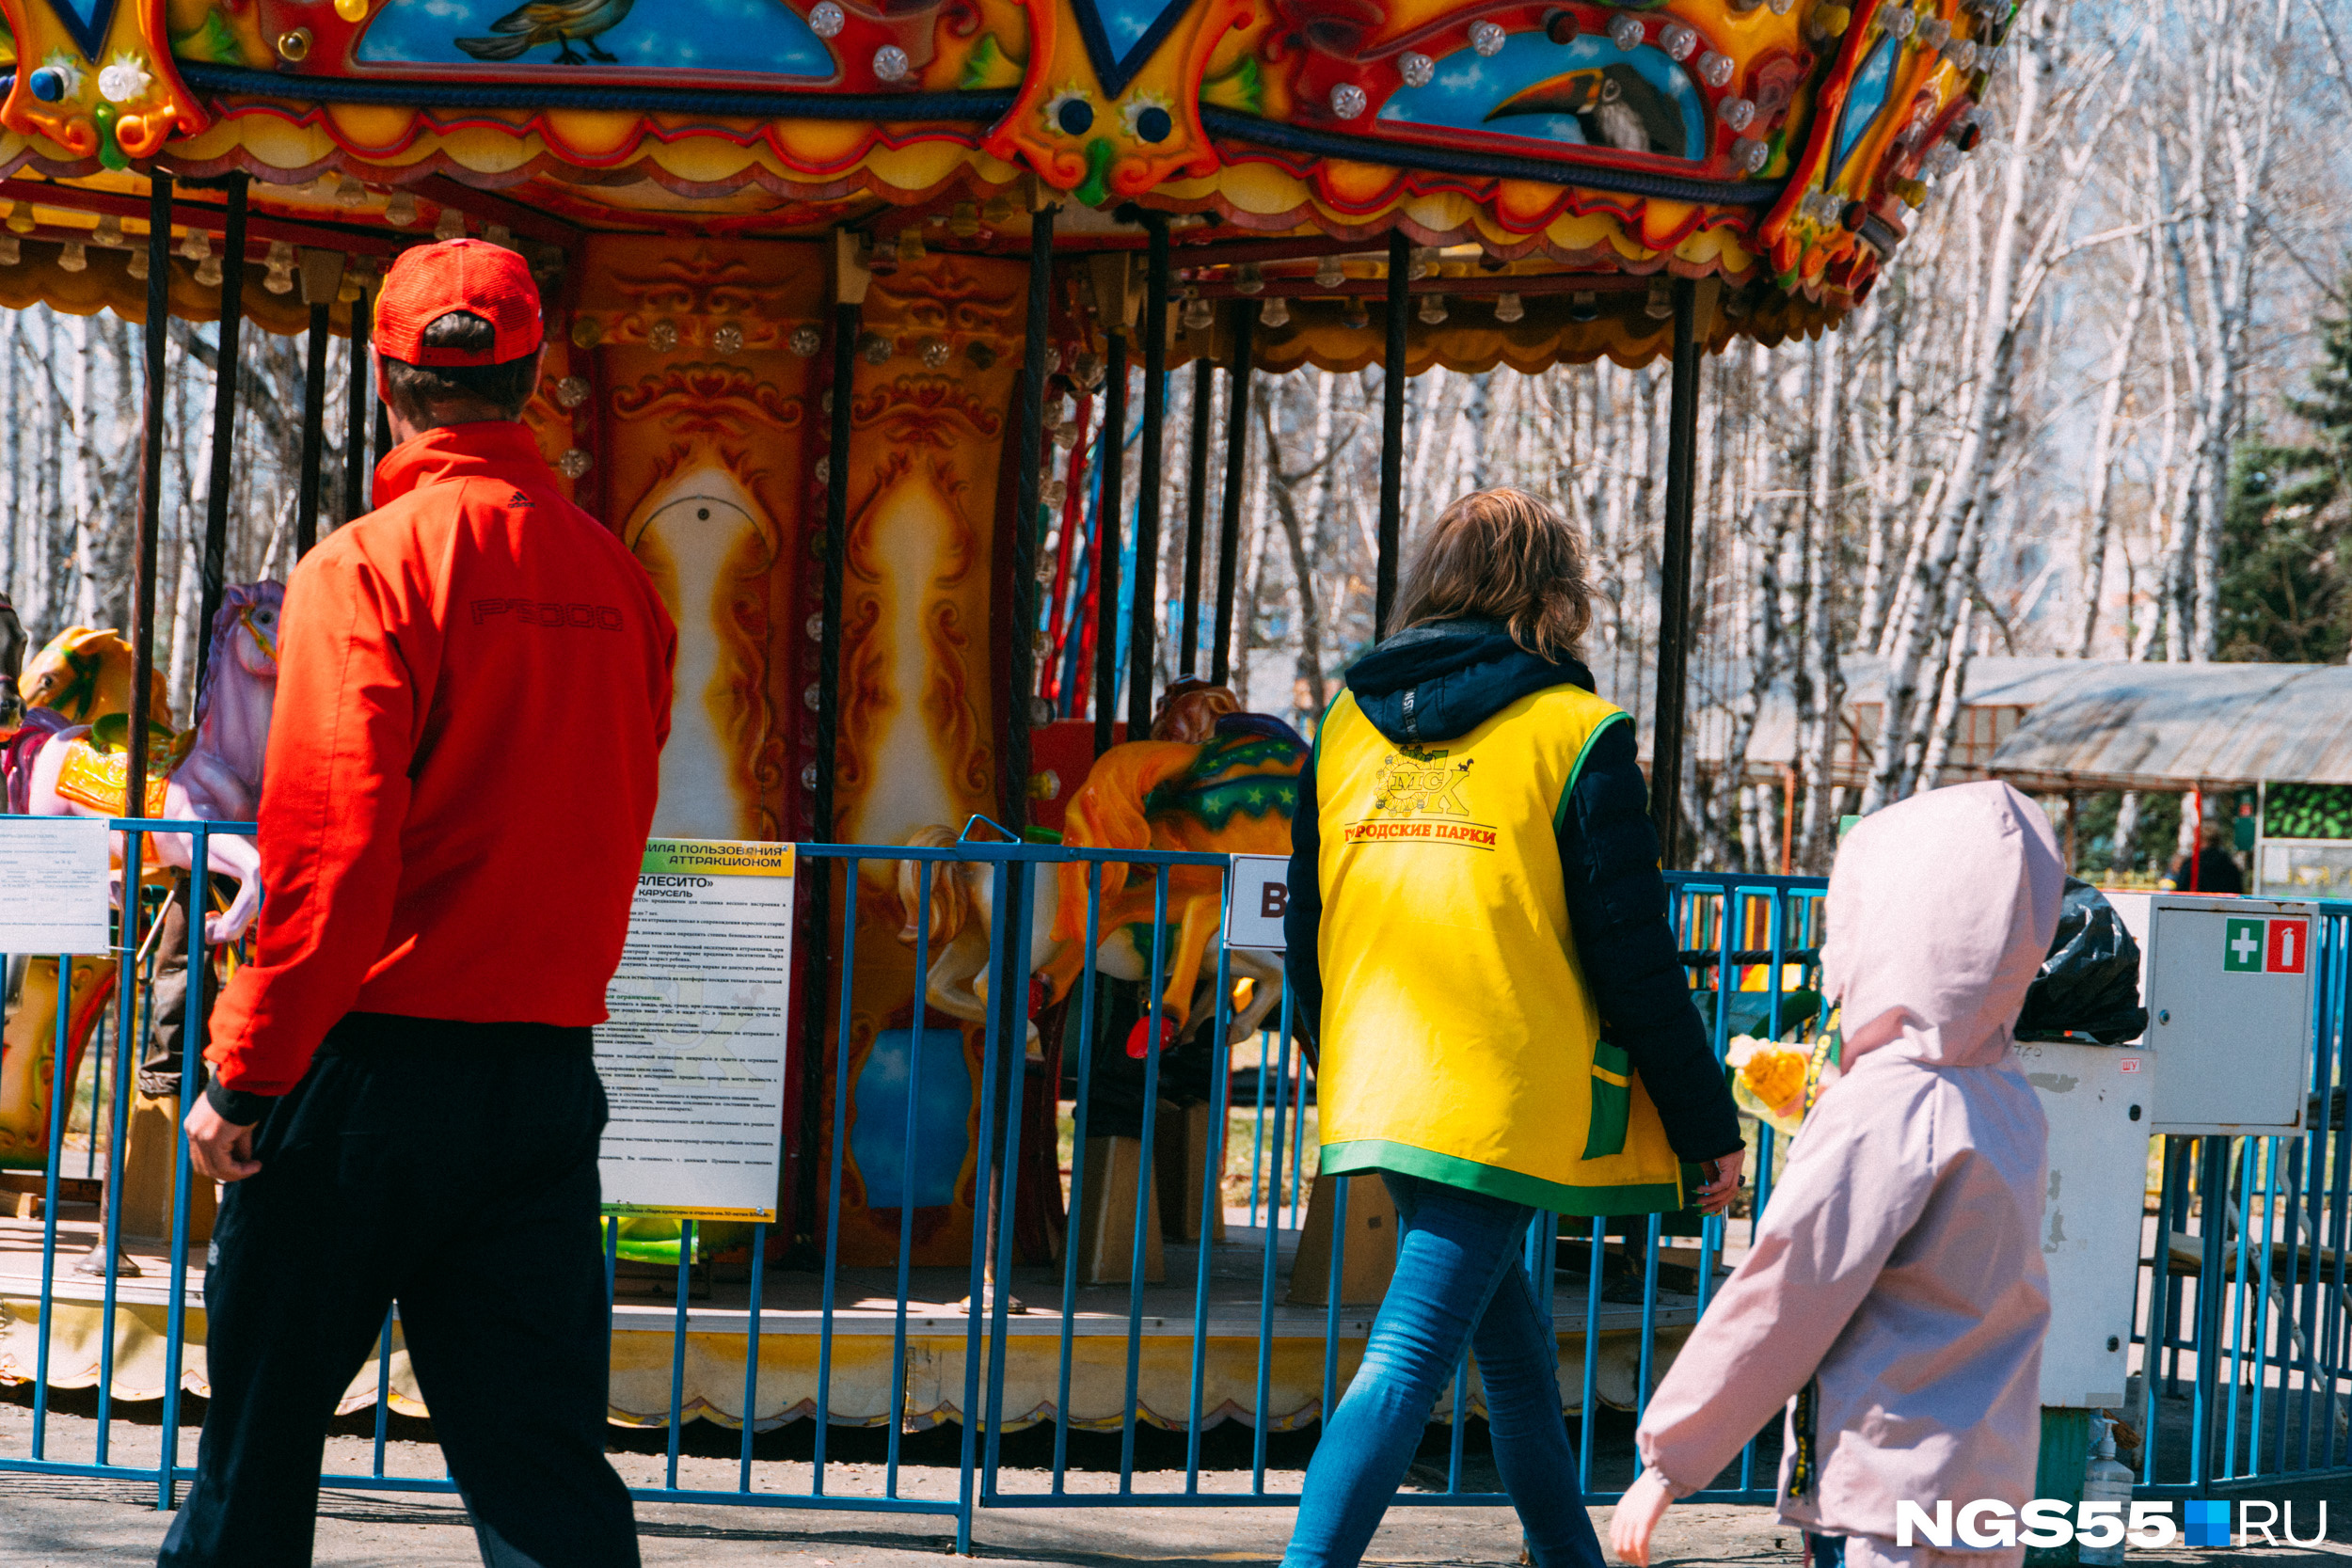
x,y
2231,1012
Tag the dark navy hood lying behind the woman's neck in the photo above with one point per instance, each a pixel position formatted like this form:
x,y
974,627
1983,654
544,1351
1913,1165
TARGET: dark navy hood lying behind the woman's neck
x,y
1434,683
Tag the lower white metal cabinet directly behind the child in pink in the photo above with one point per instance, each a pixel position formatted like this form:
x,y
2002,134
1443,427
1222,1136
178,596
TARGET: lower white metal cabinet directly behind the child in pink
x,y
2099,1108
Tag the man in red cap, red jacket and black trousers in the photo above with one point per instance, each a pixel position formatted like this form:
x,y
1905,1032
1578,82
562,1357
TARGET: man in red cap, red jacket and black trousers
x,y
472,704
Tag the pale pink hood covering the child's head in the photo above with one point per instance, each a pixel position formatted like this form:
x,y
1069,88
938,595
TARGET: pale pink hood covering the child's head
x,y
1942,911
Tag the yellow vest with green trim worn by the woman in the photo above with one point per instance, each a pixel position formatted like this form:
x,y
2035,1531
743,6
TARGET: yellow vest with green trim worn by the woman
x,y
1459,1040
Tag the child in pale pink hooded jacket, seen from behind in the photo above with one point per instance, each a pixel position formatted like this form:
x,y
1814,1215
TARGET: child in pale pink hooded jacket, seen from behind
x,y
1895,1296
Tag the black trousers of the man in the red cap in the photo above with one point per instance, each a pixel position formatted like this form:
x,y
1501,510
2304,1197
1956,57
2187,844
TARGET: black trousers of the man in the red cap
x,y
453,1170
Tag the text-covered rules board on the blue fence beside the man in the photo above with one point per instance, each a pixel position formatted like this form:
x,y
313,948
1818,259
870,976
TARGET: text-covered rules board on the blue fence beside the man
x,y
695,1050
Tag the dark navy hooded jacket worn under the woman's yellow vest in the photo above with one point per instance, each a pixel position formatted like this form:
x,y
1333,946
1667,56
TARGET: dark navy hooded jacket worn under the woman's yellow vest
x,y
1436,683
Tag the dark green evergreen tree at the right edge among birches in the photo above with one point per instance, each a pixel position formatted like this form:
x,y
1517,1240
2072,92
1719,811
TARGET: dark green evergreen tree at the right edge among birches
x,y
2287,542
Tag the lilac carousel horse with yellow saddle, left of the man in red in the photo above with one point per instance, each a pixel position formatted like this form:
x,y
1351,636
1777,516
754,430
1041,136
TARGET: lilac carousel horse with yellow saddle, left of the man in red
x,y
211,772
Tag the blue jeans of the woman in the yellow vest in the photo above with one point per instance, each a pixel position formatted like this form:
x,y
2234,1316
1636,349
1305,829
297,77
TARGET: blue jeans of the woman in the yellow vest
x,y
1459,1285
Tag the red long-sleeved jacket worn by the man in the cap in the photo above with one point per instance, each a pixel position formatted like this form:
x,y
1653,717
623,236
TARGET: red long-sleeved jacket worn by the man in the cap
x,y
472,702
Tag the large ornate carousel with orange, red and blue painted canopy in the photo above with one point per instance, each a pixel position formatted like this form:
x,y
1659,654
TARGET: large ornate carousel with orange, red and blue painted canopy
x,y
855,307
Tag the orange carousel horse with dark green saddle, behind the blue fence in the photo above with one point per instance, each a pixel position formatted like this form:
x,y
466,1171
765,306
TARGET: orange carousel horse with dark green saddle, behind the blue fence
x,y
1210,779
